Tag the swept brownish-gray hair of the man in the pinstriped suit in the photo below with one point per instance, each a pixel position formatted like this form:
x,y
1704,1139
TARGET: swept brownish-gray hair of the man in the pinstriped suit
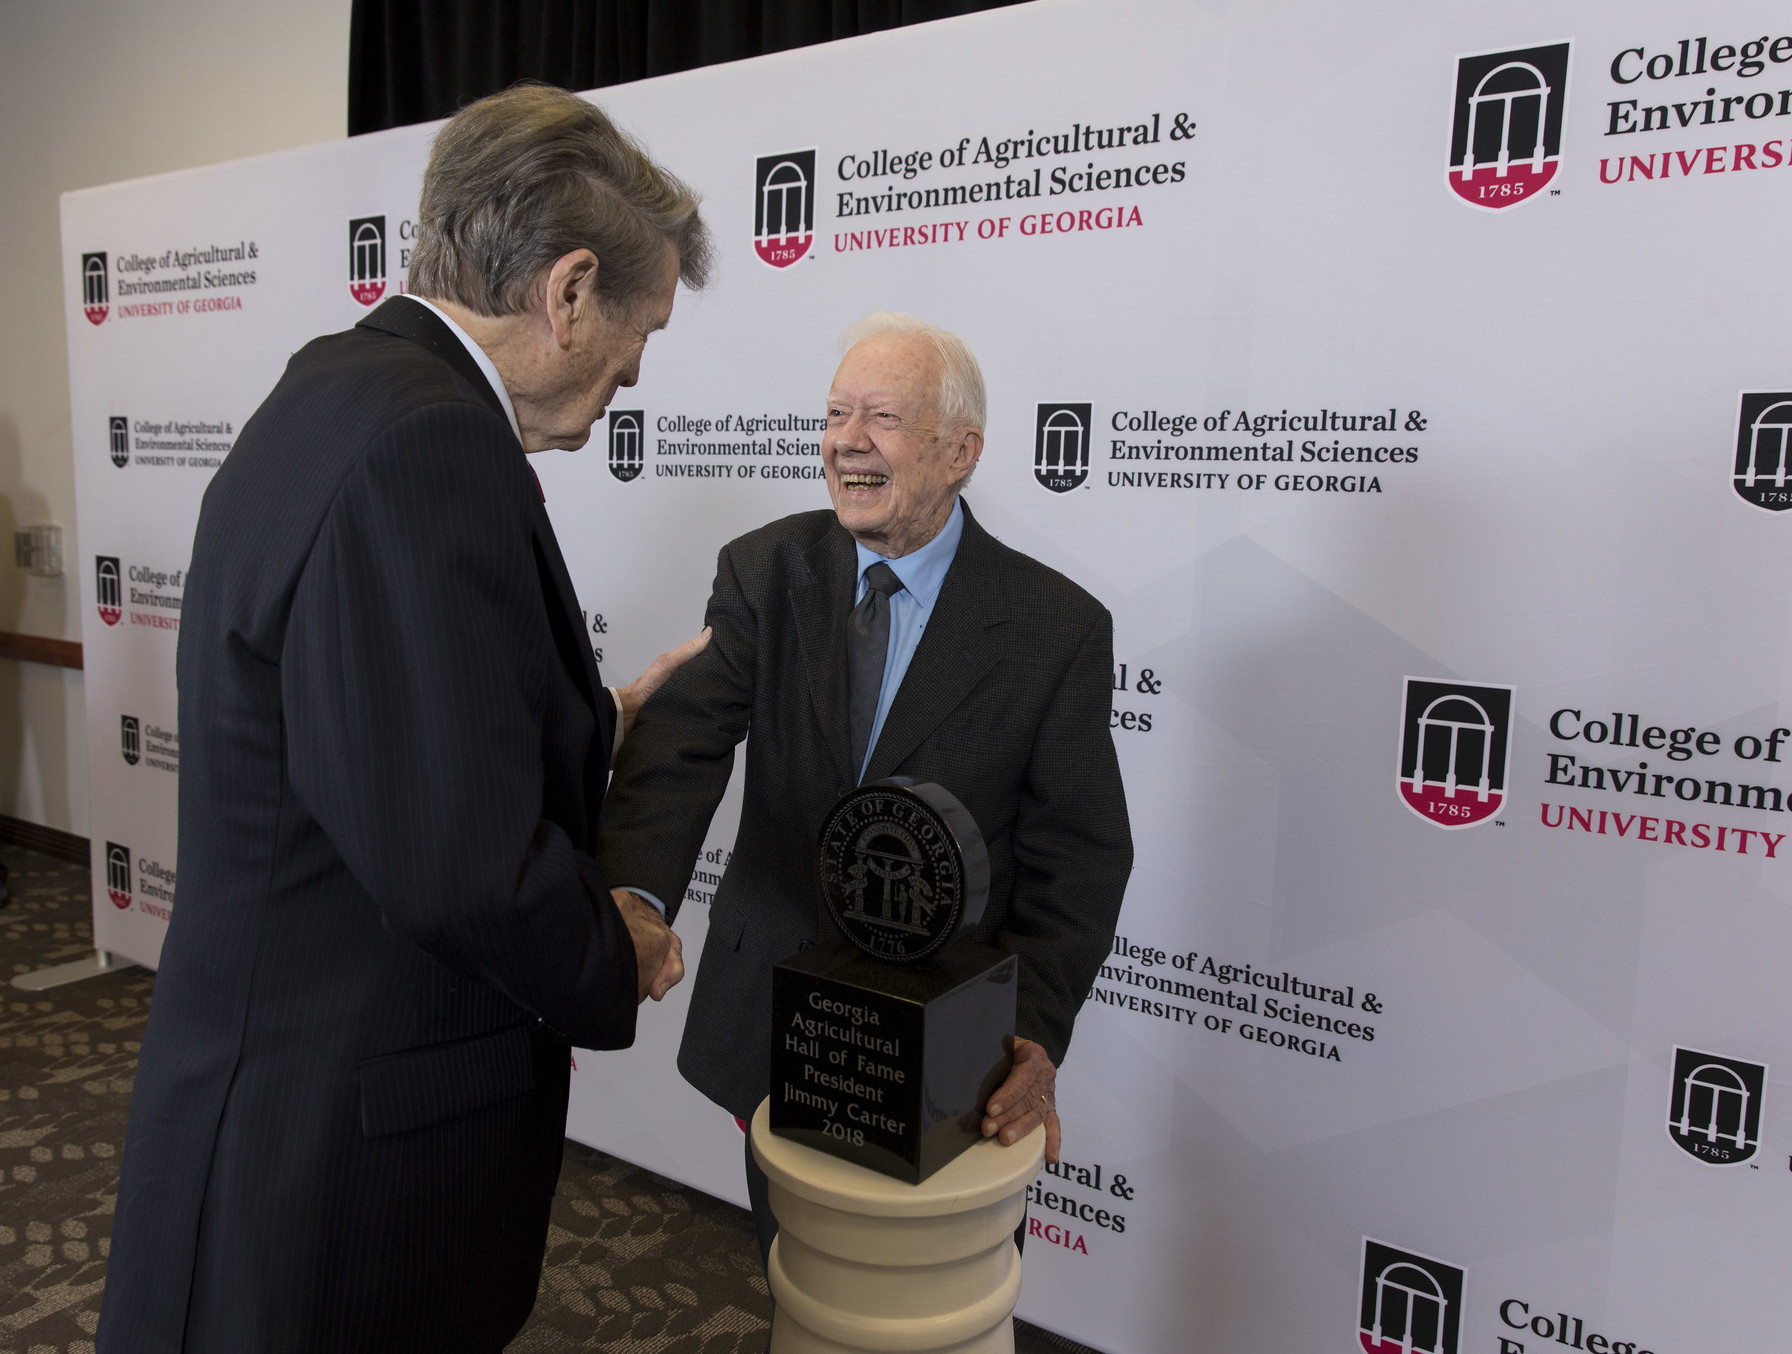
x,y
530,175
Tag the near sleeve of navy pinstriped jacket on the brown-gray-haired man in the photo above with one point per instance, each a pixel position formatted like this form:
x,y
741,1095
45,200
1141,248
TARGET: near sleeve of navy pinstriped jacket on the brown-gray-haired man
x,y
415,671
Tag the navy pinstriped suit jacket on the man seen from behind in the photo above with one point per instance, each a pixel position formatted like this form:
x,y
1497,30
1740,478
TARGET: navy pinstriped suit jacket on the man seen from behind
x,y
352,1099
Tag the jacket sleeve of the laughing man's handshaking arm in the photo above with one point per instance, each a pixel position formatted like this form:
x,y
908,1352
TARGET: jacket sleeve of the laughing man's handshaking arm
x,y
675,764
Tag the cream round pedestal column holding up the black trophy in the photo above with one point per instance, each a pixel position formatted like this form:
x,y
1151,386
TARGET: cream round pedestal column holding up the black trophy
x,y
866,1264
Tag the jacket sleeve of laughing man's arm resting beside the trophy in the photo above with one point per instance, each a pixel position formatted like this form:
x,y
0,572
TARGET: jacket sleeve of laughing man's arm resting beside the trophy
x,y
1073,850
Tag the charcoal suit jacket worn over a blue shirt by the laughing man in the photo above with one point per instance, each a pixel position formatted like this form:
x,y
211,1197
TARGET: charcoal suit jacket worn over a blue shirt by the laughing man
x,y
1006,705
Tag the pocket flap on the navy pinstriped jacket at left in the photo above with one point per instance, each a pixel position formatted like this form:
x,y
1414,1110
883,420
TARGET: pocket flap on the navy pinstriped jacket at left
x,y
424,1086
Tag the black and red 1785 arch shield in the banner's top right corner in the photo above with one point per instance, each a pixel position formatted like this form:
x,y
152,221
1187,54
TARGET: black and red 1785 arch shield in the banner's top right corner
x,y
1508,133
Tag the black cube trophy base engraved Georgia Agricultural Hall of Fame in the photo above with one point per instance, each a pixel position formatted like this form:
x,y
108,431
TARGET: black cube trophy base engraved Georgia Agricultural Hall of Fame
x,y
890,1067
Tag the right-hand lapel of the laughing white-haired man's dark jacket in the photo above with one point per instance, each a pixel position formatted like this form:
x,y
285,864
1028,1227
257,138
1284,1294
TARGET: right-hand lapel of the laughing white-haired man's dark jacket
x,y
954,655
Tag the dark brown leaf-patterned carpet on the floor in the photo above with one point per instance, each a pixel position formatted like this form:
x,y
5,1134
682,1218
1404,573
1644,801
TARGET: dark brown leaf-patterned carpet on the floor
x,y
635,1264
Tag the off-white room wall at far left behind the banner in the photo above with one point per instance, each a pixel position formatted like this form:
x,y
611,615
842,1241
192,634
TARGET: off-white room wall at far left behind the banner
x,y
94,92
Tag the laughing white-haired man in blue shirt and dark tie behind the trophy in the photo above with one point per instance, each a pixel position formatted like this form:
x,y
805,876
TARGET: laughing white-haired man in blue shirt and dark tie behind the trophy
x,y
892,637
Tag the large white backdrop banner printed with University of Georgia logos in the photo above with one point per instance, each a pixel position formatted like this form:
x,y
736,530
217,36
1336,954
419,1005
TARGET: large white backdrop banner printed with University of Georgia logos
x,y
1417,391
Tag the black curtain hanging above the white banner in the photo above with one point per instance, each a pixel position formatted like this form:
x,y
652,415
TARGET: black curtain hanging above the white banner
x,y
422,60
